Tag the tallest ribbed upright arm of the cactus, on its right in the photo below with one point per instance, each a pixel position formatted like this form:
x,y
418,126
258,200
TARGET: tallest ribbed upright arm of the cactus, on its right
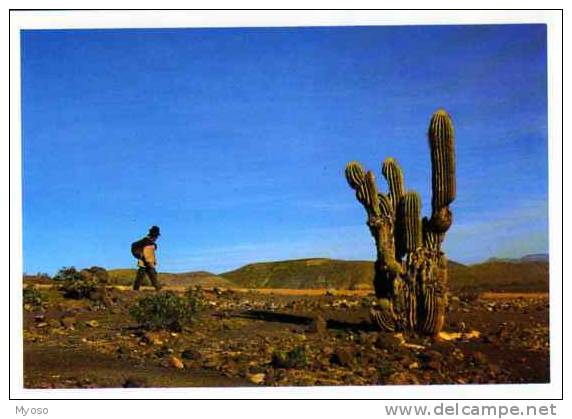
x,y
441,142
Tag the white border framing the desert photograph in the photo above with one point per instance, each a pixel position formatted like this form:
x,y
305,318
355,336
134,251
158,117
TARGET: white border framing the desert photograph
x,y
173,19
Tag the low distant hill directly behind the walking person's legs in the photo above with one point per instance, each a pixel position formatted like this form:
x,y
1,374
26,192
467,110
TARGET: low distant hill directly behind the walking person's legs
x,y
204,279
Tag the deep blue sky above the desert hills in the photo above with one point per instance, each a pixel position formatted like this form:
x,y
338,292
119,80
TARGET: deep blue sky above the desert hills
x,y
234,141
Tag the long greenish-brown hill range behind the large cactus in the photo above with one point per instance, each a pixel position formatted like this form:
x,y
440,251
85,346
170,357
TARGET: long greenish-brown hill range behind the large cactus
x,y
523,275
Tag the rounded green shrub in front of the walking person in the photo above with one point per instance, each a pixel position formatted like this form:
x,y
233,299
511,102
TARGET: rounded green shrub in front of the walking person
x,y
164,310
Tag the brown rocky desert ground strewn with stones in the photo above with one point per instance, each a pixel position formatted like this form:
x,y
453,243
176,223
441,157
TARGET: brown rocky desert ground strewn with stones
x,y
253,338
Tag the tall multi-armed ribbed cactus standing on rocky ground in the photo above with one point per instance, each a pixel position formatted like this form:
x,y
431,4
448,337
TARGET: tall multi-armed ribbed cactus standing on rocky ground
x,y
410,270
